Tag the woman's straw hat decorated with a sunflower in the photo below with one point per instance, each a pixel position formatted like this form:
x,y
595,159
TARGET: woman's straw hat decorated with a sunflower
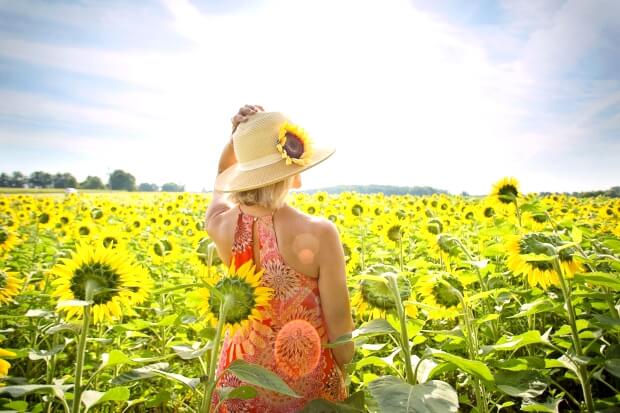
x,y
269,148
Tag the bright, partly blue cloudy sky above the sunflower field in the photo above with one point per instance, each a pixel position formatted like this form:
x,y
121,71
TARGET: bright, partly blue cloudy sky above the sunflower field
x,y
450,94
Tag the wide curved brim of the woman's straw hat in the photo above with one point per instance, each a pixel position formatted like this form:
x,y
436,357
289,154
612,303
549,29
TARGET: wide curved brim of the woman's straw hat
x,y
234,179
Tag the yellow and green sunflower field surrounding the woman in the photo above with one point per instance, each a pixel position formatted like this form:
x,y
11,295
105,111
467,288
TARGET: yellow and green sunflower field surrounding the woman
x,y
117,302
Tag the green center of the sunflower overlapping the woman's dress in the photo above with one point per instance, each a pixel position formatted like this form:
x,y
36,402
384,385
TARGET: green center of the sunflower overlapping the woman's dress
x,y
243,299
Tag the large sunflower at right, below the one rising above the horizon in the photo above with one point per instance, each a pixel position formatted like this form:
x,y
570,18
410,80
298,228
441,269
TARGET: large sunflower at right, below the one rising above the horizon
x,y
540,272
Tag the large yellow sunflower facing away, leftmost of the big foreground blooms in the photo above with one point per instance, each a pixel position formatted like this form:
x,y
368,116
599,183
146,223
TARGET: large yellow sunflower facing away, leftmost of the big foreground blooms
x,y
118,284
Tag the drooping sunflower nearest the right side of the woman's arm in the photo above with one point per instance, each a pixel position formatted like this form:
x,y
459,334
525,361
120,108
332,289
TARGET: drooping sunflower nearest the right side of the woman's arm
x,y
375,299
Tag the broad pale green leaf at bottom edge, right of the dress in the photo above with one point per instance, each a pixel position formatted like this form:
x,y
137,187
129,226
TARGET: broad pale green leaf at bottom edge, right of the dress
x,y
394,395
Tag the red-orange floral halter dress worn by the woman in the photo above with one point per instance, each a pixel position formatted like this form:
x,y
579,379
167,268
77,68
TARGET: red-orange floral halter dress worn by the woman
x,y
295,297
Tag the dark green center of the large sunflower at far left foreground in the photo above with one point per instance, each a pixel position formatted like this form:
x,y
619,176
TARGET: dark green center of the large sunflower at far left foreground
x,y
101,275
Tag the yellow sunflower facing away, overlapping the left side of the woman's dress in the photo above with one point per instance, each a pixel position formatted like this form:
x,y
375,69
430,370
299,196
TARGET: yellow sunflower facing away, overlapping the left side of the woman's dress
x,y
243,287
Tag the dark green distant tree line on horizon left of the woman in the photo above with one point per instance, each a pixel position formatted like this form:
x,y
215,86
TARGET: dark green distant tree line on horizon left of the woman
x,y
118,180
